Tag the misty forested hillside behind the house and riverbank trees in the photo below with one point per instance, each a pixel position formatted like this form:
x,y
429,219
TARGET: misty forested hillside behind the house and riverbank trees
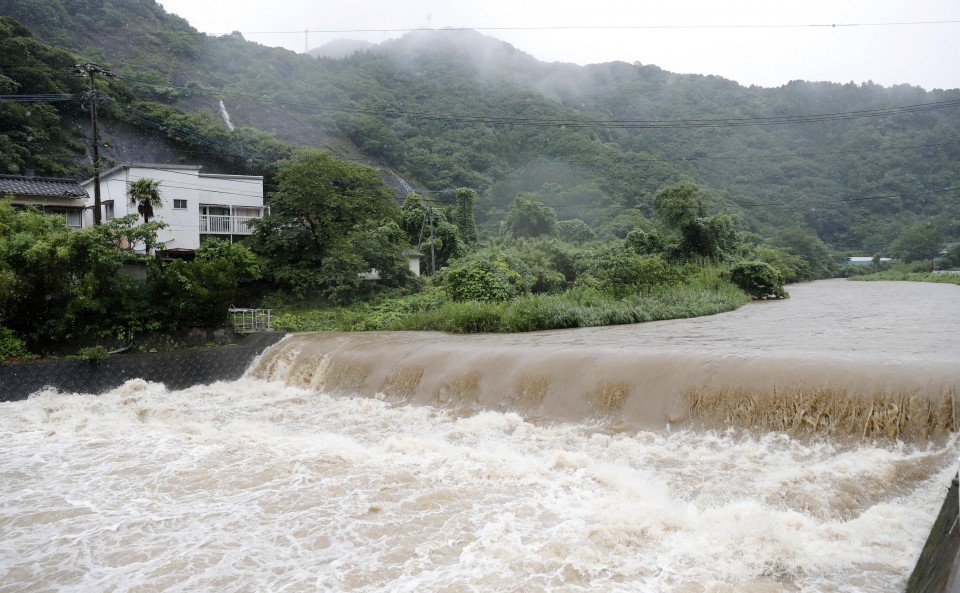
x,y
854,164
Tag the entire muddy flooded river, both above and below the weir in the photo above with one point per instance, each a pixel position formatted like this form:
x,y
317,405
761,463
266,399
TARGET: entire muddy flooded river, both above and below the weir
x,y
631,458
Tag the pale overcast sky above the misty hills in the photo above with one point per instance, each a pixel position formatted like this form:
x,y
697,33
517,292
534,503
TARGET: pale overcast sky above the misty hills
x,y
762,42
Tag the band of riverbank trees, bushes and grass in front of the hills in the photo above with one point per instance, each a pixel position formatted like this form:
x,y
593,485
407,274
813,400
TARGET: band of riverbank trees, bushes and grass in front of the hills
x,y
333,254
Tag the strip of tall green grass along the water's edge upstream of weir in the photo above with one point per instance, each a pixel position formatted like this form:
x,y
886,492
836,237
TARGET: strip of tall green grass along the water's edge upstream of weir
x,y
578,307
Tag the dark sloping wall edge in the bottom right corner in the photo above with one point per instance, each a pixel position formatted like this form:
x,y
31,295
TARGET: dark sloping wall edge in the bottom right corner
x,y
937,569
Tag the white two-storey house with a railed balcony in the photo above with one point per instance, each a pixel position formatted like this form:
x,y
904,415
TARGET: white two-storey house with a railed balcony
x,y
193,204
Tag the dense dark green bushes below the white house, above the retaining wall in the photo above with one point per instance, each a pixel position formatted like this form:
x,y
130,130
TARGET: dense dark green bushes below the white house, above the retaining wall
x,y
59,286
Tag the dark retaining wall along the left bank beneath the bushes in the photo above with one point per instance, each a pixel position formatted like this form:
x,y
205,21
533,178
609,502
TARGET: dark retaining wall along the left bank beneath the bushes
x,y
176,370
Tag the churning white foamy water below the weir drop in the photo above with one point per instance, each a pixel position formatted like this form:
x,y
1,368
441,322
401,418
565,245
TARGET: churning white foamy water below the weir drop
x,y
257,486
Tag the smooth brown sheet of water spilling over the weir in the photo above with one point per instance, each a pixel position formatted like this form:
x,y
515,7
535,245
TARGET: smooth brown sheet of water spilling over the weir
x,y
626,389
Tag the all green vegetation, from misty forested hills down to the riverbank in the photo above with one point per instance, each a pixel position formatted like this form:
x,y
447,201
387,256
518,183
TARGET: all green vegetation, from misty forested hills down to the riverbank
x,y
556,195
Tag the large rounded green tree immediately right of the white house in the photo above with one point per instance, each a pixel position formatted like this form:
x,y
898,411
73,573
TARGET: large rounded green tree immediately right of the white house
x,y
322,208
